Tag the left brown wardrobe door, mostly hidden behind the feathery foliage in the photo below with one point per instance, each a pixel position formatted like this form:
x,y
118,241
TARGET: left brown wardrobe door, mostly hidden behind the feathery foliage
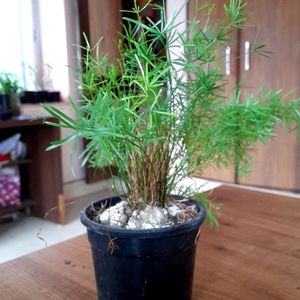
x,y
226,174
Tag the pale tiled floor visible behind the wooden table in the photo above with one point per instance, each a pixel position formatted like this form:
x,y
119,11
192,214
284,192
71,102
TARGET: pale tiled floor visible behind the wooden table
x,y
20,237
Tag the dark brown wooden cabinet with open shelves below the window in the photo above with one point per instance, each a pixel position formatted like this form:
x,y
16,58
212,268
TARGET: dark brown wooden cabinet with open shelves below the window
x,y
41,172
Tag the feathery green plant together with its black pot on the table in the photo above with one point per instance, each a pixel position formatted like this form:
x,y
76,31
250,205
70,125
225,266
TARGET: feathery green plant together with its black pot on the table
x,y
156,127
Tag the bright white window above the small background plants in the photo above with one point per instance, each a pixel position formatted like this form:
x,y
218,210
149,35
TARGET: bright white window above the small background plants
x,y
33,43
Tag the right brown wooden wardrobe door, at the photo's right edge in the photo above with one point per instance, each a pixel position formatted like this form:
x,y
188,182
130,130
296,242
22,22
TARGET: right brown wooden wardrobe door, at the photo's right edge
x,y
277,23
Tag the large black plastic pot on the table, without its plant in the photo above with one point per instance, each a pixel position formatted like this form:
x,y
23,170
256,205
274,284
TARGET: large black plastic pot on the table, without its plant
x,y
145,264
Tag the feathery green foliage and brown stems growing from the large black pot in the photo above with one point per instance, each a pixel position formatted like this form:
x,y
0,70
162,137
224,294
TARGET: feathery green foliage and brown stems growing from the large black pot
x,y
143,117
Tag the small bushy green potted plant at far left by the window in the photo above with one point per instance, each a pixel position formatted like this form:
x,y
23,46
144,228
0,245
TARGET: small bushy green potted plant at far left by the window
x,y
9,87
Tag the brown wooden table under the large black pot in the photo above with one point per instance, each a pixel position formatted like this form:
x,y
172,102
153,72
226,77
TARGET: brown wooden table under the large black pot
x,y
254,255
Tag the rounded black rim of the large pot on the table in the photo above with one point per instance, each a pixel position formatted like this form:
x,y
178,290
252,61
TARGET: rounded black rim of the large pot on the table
x,y
142,233
